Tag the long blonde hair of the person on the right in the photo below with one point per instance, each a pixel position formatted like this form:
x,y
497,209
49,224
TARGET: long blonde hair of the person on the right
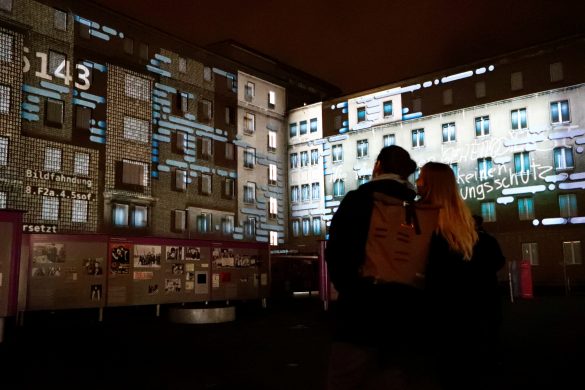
x,y
438,186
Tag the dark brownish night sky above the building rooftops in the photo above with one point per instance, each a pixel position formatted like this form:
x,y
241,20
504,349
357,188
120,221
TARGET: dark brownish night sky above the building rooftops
x,y
369,43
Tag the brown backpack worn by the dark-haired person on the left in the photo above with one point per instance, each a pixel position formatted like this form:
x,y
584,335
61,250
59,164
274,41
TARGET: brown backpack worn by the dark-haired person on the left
x,y
398,240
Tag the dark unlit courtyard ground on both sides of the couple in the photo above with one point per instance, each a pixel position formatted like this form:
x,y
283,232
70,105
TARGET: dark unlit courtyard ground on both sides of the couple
x,y
280,348
